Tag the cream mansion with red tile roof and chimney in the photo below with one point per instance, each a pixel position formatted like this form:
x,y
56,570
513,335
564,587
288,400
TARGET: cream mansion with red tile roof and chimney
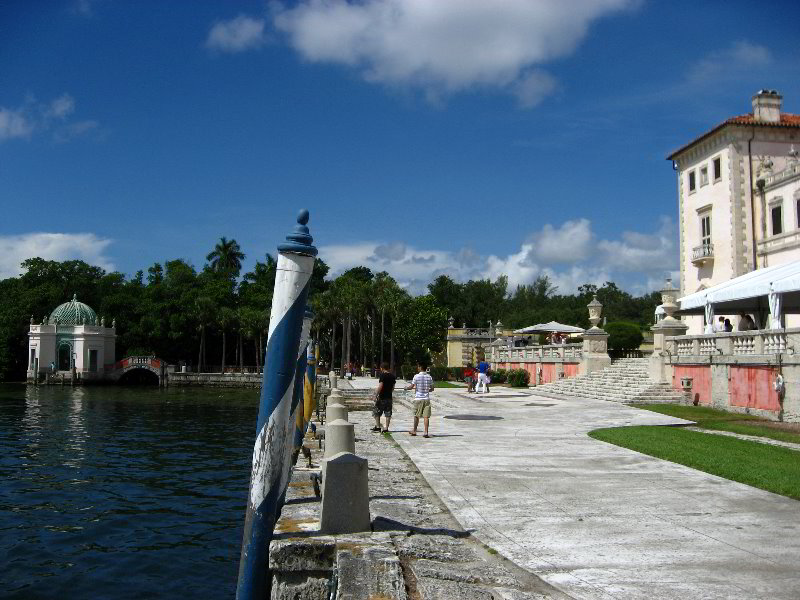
x,y
739,199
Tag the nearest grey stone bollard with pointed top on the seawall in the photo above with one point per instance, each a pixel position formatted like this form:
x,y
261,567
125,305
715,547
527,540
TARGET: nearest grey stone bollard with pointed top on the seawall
x,y
345,494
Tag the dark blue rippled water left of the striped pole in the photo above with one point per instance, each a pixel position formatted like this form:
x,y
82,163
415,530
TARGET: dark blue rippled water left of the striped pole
x,y
110,492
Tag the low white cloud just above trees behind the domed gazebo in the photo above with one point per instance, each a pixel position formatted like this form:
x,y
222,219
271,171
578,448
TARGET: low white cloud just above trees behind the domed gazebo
x,y
52,246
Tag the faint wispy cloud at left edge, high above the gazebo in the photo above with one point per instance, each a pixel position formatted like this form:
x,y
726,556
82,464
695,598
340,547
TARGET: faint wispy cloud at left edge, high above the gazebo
x,y
42,117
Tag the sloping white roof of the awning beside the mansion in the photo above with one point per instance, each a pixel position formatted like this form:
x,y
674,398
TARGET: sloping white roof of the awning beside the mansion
x,y
748,291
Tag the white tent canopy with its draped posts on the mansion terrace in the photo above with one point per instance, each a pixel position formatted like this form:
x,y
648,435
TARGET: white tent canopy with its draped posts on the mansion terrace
x,y
776,288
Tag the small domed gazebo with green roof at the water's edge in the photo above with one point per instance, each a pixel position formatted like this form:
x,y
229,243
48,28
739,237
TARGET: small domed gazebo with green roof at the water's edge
x,y
71,337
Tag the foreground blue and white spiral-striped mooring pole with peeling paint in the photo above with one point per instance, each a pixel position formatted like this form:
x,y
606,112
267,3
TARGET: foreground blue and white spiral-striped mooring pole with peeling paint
x,y
295,265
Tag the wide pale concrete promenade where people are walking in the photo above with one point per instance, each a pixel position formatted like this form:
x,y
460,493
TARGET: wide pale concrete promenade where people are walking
x,y
593,519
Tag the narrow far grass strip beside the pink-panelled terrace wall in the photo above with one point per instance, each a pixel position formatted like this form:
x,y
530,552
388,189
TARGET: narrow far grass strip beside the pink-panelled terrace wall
x,y
710,418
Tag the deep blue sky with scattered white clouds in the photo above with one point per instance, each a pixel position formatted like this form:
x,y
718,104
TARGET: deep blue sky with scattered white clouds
x,y
465,137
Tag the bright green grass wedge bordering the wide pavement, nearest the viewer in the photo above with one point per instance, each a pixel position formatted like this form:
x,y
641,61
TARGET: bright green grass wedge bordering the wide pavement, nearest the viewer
x,y
771,468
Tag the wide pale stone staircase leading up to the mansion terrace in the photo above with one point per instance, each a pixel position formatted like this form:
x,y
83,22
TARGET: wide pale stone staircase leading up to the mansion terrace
x,y
626,381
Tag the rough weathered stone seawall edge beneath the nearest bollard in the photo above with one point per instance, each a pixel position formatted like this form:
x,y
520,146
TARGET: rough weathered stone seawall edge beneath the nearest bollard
x,y
417,550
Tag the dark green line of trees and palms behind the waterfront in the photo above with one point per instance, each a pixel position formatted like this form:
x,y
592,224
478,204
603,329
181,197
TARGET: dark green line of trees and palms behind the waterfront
x,y
217,318
